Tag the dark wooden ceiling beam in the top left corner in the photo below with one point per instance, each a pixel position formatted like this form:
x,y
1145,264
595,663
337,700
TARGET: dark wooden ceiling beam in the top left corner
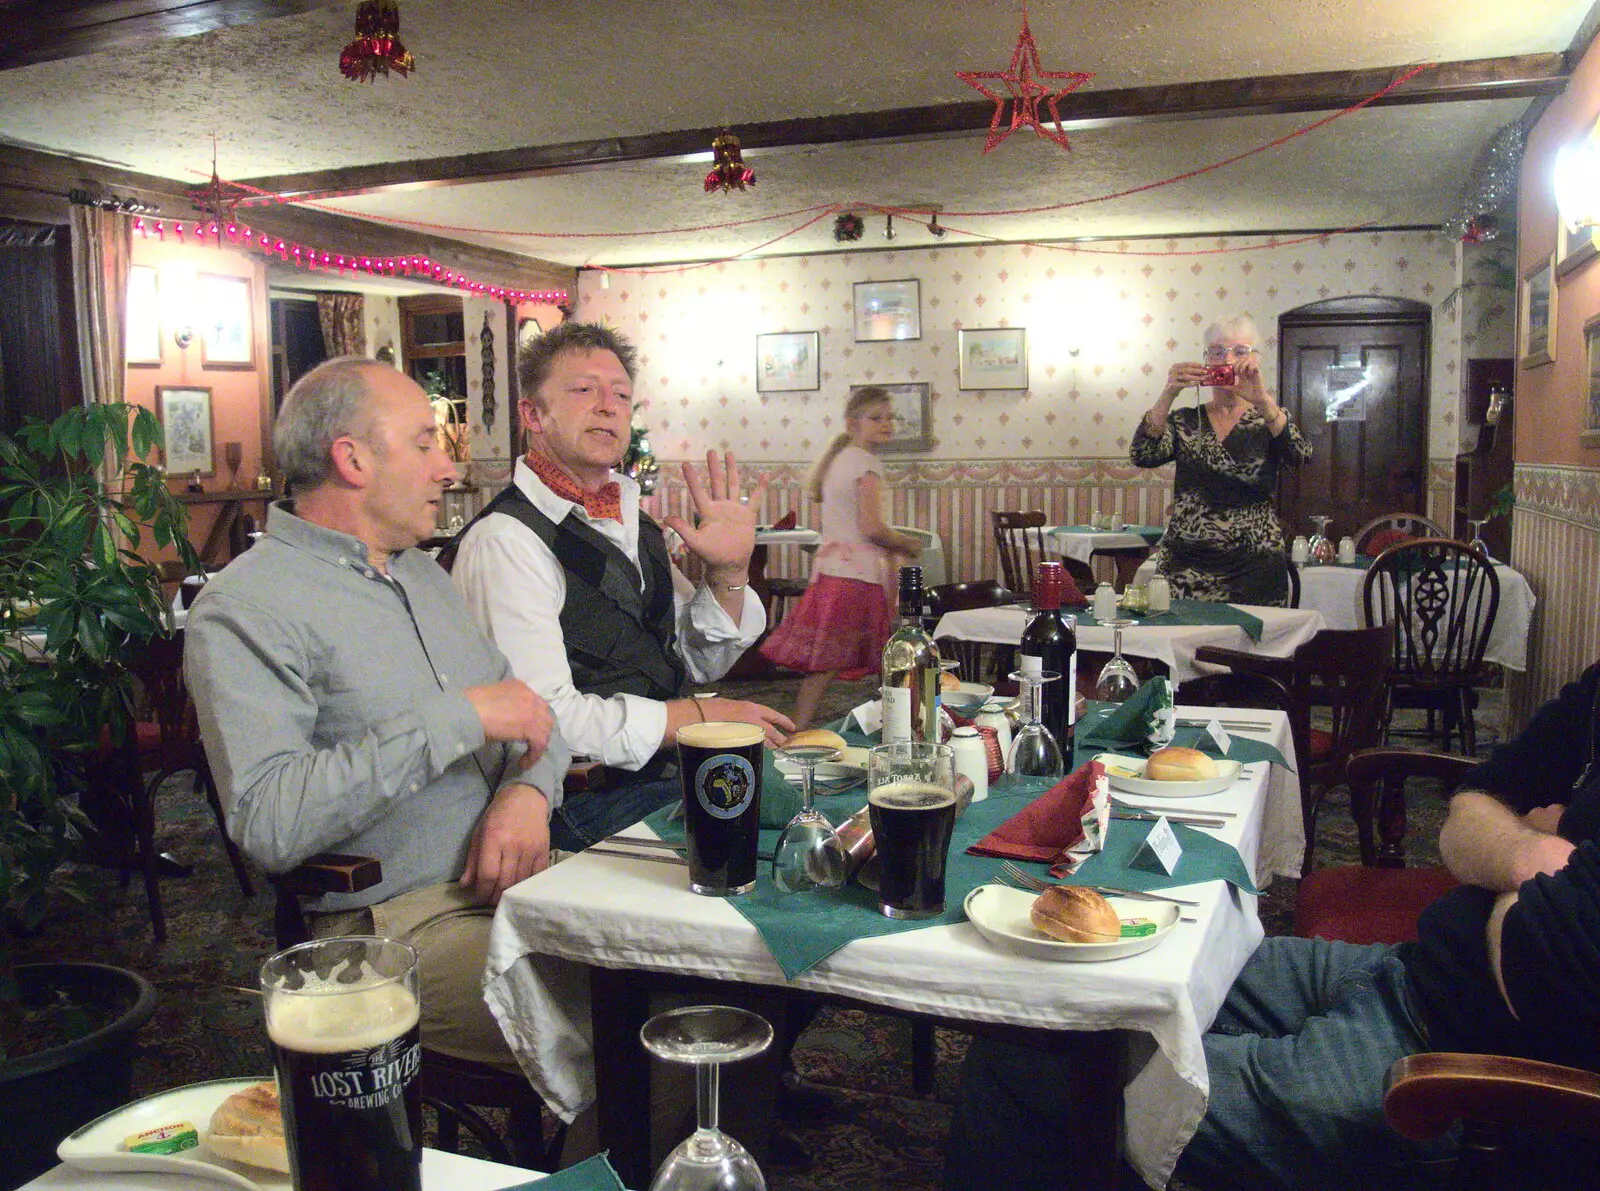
x,y
44,31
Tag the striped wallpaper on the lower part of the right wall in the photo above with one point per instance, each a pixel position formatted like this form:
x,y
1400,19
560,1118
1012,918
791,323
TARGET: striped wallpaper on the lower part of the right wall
x,y
1556,543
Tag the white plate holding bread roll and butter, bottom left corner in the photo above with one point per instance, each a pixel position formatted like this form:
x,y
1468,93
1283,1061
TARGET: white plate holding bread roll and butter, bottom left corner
x,y
98,1145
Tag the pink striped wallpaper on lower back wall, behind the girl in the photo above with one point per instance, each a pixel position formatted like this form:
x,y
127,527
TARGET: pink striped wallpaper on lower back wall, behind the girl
x,y
956,497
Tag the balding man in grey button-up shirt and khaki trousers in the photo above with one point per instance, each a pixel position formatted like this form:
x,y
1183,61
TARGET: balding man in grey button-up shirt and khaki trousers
x,y
348,702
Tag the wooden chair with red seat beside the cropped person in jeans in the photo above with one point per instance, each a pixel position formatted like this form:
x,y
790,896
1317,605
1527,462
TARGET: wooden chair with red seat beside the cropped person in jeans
x,y
1378,900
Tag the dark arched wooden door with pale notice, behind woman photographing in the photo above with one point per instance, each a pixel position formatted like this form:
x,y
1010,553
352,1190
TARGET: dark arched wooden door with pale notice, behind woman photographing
x,y
1359,393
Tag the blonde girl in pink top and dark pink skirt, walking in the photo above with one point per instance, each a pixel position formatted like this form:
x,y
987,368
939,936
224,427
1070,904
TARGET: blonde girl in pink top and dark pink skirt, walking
x,y
842,622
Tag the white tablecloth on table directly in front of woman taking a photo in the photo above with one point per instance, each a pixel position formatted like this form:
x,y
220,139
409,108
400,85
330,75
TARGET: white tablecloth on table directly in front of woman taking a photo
x,y
1282,632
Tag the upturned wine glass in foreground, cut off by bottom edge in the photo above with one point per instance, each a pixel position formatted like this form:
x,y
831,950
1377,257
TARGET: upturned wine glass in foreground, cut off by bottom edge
x,y
708,1037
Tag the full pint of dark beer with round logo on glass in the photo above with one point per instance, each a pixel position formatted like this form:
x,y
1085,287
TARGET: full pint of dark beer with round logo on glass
x,y
721,766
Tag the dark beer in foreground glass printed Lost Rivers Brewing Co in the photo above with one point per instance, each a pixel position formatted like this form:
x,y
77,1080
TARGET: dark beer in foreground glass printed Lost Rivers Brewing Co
x,y
343,1024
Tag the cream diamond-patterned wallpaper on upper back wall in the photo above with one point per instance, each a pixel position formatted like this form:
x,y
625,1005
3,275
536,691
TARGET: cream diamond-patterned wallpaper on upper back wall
x,y
1102,332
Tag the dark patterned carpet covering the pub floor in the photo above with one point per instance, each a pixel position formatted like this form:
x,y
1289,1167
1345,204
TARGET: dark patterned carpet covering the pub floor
x,y
881,1136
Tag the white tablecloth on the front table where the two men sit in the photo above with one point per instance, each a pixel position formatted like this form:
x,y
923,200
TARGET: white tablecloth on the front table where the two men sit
x,y
636,915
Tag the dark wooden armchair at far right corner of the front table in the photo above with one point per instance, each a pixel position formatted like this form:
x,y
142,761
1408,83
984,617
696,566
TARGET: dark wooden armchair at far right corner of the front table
x,y
1340,670
